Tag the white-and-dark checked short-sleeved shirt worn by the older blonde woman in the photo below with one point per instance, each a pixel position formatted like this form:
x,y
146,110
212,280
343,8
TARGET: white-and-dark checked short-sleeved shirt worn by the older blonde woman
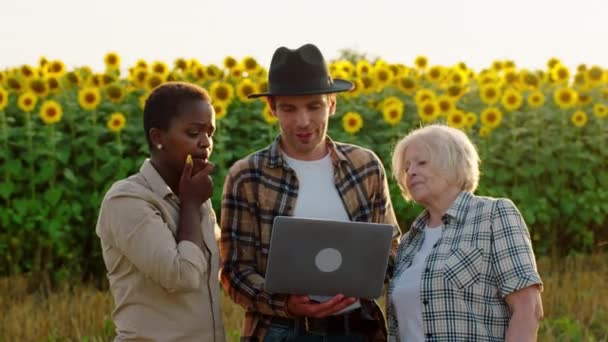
x,y
483,255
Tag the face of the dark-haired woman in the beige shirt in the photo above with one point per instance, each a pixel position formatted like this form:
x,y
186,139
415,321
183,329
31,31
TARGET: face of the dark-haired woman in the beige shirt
x,y
190,132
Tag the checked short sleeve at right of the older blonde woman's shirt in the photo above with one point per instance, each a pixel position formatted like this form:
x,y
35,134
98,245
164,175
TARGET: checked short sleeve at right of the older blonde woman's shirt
x,y
513,258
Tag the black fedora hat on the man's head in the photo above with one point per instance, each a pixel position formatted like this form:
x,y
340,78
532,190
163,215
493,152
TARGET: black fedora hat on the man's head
x,y
302,71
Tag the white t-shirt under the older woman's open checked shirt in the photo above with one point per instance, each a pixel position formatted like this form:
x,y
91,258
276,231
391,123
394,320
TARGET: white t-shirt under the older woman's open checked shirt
x,y
406,293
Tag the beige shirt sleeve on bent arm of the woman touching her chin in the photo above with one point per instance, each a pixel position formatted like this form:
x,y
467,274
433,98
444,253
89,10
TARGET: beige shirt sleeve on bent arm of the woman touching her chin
x,y
136,228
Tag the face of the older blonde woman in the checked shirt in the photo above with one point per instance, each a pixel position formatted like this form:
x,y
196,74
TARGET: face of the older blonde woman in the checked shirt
x,y
422,181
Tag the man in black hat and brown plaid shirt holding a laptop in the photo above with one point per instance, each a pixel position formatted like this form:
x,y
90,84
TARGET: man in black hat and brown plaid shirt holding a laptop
x,y
303,173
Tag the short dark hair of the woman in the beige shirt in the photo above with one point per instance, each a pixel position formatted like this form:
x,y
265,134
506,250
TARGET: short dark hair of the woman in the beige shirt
x,y
163,104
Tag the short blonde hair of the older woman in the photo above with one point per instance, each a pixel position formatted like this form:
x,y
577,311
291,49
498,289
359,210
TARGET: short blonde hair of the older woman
x,y
451,155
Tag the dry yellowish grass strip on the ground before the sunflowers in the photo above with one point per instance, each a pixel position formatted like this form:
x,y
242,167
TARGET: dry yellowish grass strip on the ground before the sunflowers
x,y
575,301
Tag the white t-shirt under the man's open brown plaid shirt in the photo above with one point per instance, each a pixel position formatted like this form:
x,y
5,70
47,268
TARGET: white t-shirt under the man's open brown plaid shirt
x,y
318,197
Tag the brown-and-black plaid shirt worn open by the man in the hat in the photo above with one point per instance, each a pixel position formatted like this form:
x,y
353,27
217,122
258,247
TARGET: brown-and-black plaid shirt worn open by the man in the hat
x,y
261,187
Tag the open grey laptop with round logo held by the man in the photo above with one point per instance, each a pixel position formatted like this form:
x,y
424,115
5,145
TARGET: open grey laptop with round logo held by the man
x,y
325,258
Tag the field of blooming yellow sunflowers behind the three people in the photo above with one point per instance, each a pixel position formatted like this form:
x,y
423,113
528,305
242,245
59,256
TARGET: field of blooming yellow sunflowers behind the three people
x,y
67,134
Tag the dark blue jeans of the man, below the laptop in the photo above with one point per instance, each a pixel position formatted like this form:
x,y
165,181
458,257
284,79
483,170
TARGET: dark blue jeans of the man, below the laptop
x,y
282,333
